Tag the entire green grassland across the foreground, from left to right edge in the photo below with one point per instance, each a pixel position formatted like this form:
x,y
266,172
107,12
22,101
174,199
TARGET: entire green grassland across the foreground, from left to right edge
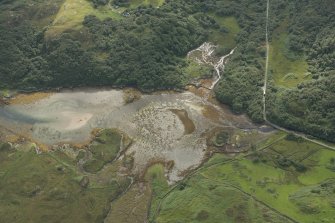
x,y
282,177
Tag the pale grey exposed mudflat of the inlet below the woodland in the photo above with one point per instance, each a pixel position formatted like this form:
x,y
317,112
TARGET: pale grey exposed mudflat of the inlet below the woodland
x,y
164,126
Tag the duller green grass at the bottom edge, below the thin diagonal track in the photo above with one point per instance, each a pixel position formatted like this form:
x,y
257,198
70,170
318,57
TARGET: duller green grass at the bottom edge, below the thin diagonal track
x,y
207,200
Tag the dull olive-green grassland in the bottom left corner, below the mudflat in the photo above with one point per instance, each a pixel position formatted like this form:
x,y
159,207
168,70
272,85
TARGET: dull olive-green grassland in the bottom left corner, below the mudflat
x,y
39,189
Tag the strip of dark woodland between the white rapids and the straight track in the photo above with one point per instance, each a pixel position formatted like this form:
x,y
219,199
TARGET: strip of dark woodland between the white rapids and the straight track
x,y
244,74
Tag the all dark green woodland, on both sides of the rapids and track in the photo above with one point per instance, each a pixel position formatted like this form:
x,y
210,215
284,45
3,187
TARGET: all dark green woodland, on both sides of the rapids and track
x,y
147,49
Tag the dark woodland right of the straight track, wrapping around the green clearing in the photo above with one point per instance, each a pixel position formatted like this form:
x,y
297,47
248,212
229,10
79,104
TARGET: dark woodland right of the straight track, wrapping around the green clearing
x,y
310,107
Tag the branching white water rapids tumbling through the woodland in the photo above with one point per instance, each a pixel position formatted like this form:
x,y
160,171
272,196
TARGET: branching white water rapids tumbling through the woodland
x,y
206,50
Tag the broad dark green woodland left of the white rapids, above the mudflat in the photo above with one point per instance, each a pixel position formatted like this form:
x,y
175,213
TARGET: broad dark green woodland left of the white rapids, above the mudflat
x,y
145,49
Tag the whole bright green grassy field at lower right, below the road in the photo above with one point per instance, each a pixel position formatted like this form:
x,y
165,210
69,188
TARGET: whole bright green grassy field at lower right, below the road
x,y
294,177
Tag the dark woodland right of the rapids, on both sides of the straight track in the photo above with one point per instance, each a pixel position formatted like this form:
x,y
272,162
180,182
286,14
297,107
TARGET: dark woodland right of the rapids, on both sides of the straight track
x,y
310,107
